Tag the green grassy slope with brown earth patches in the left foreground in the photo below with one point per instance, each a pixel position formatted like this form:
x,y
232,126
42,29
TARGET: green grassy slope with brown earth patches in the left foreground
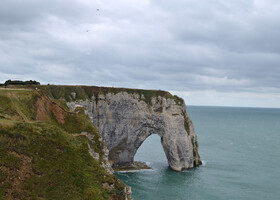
x,y
48,159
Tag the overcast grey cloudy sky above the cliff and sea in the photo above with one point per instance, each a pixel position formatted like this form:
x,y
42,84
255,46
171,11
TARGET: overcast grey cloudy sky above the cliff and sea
x,y
210,52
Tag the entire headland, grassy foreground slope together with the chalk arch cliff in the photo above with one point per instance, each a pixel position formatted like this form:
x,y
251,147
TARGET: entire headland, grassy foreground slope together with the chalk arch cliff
x,y
80,134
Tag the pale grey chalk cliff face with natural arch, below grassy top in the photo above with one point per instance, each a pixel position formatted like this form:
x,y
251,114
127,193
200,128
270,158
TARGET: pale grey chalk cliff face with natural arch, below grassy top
x,y
125,119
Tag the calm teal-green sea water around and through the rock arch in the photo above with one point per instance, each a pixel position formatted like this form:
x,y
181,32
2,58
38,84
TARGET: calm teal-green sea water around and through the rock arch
x,y
240,150
